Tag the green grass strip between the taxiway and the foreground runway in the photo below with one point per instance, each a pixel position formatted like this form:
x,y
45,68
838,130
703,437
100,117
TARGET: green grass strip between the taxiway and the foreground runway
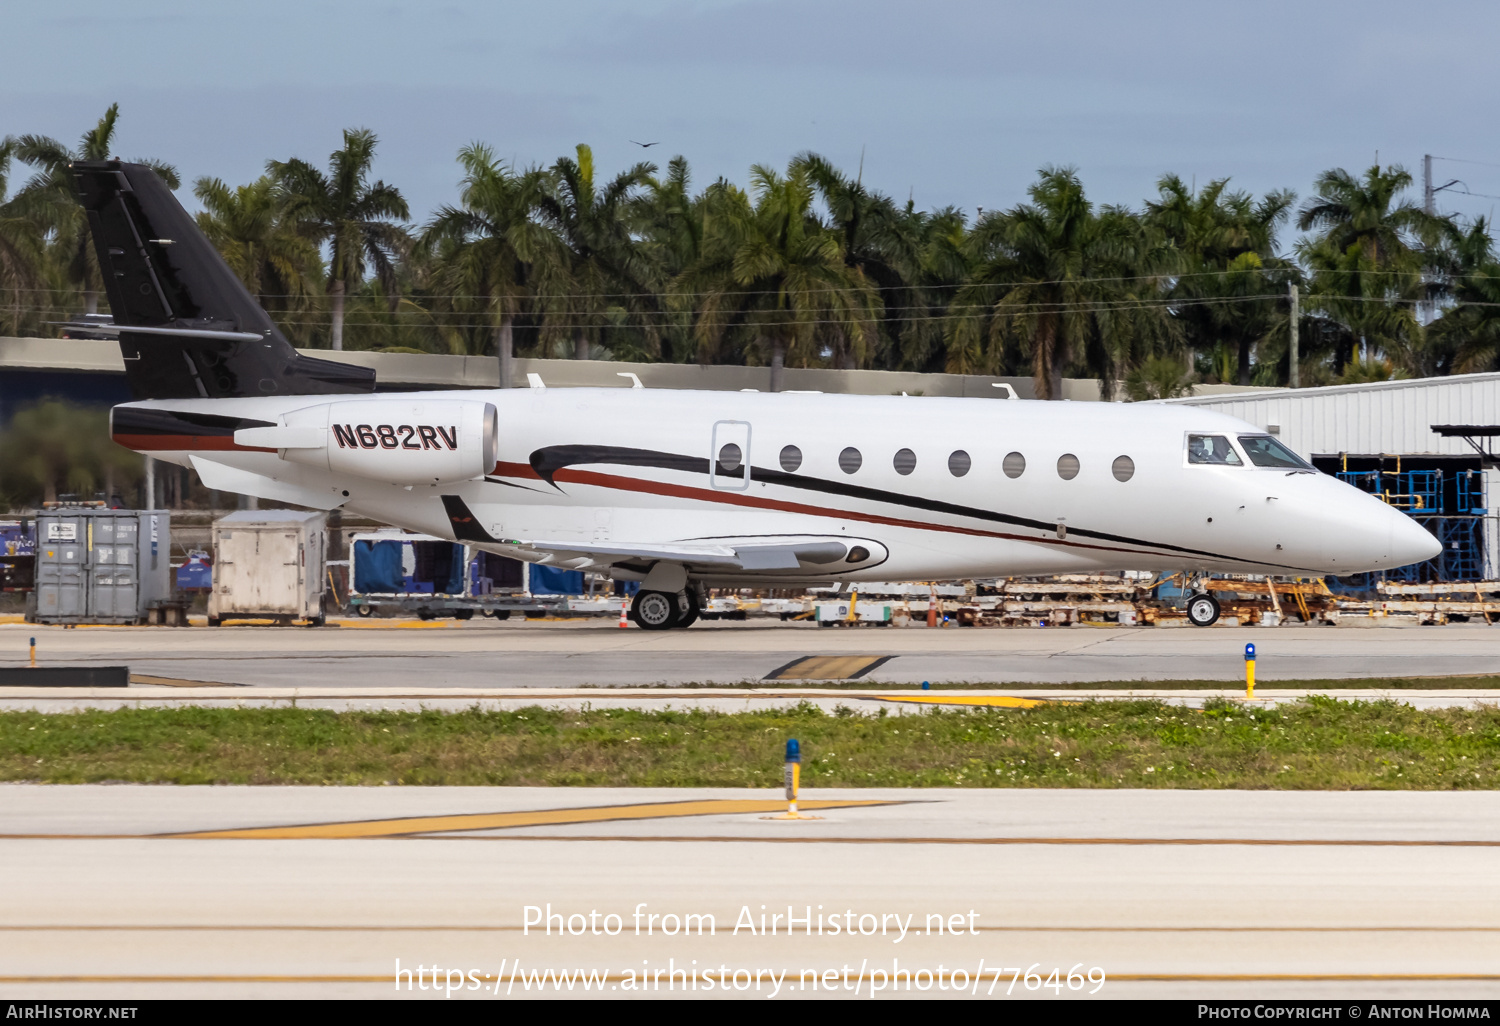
x,y
1316,745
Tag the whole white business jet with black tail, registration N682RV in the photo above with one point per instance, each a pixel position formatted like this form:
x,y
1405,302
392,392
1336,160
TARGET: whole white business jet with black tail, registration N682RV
x,y
691,490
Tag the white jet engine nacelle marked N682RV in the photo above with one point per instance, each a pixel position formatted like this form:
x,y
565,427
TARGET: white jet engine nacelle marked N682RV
x,y
388,440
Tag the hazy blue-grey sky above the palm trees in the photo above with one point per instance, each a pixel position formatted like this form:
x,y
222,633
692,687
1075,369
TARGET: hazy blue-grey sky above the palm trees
x,y
949,101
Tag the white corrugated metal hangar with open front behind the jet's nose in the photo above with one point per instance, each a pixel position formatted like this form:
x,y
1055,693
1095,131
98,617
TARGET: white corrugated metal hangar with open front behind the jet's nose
x,y
1381,439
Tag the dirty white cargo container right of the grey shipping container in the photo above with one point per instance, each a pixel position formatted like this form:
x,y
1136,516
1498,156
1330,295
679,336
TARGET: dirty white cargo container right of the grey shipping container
x,y
269,565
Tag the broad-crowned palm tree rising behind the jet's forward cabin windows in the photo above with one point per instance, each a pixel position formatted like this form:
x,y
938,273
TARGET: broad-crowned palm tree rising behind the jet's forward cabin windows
x,y
1066,283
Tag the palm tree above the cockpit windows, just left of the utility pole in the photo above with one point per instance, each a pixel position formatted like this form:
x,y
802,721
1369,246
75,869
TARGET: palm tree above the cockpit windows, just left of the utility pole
x,y
1228,265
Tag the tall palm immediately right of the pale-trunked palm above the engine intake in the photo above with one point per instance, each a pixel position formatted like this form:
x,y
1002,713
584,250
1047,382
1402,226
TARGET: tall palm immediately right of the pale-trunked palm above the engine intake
x,y
605,262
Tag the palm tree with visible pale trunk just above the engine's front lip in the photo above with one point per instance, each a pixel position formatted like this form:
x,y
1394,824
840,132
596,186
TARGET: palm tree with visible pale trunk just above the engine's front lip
x,y
490,251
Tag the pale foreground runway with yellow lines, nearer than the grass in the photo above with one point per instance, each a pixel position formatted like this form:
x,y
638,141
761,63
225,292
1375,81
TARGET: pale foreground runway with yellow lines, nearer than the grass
x,y
127,892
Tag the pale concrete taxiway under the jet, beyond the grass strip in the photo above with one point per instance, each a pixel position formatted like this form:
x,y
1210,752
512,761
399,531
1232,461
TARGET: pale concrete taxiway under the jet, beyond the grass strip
x,y
487,655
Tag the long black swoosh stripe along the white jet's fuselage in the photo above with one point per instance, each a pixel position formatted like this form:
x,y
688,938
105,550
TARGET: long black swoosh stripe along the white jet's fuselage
x,y
554,458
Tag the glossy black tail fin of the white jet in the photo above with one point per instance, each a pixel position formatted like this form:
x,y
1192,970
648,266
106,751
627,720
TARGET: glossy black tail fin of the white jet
x,y
188,328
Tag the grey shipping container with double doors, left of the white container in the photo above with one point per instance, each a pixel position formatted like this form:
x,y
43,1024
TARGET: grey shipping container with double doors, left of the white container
x,y
101,566
